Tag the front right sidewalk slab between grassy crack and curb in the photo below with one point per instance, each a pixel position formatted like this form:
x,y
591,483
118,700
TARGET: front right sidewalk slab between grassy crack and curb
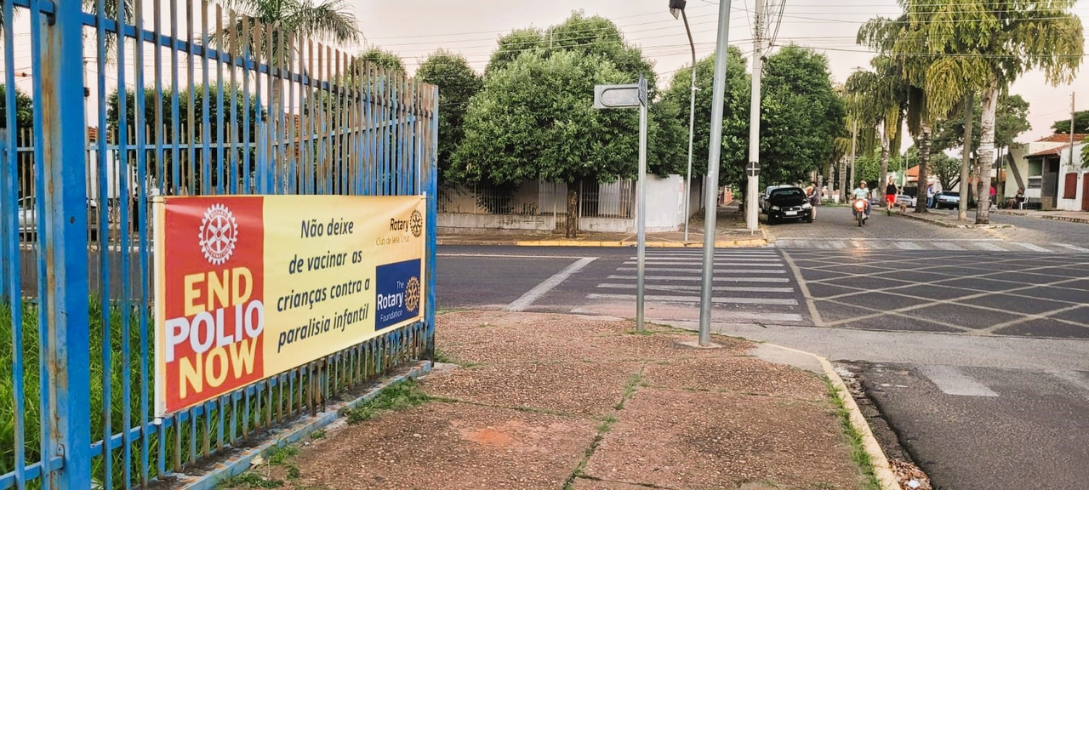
x,y
687,441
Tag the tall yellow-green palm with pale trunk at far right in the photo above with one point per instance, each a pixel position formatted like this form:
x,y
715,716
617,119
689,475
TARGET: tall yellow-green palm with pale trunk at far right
x,y
987,45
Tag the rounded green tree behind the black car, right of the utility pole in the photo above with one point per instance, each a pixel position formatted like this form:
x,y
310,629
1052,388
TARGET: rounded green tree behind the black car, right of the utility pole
x,y
801,115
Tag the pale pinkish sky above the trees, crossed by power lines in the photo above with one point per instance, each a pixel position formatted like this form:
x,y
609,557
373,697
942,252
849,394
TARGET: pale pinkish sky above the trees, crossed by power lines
x,y
413,29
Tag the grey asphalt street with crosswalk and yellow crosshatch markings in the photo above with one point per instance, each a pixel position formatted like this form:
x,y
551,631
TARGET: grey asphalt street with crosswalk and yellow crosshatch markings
x,y
975,344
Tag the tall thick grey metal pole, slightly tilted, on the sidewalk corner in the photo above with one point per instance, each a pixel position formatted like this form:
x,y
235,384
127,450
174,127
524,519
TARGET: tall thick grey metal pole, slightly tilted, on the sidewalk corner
x,y
714,161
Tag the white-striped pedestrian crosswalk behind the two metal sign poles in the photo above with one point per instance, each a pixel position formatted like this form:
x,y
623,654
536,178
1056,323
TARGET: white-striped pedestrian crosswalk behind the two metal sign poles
x,y
750,285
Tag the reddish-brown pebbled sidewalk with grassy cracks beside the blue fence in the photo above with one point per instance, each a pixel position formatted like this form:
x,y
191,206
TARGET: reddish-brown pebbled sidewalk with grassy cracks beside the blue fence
x,y
537,401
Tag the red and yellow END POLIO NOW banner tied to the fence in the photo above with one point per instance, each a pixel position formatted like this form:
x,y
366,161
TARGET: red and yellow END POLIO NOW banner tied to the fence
x,y
252,287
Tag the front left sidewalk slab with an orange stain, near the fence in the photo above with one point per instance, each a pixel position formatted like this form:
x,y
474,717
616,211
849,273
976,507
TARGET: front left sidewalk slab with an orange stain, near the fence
x,y
443,446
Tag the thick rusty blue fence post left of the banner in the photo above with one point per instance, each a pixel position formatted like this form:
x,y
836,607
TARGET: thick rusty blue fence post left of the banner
x,y
68,351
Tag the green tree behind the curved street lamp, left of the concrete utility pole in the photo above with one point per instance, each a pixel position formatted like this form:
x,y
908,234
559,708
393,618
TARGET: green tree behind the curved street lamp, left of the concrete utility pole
x,y
736,116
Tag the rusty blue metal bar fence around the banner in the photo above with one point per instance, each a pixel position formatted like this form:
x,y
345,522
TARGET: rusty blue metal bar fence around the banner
x,y
187,100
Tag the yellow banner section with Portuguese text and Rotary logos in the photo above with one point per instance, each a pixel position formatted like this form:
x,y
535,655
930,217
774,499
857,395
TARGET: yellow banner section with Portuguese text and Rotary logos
x,y
339,272
